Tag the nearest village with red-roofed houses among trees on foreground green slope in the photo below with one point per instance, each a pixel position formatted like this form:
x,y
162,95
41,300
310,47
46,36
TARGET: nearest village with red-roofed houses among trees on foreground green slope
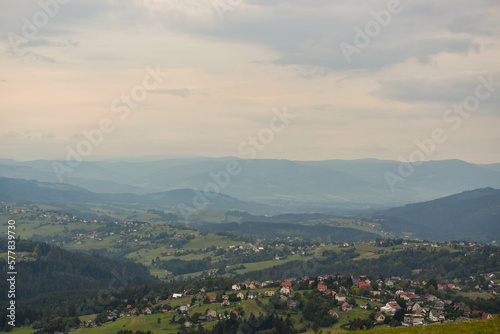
x,y
392,301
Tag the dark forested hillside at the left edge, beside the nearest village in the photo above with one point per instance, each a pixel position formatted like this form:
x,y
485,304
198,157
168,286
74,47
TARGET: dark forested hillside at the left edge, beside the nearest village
x,y
51,269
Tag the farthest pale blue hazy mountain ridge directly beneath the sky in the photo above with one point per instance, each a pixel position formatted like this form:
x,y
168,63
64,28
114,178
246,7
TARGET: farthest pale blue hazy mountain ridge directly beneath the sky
x,y
308,185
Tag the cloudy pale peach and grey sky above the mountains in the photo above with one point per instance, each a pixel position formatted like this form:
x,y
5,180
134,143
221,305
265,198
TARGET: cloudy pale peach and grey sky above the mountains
x,y
299,80
